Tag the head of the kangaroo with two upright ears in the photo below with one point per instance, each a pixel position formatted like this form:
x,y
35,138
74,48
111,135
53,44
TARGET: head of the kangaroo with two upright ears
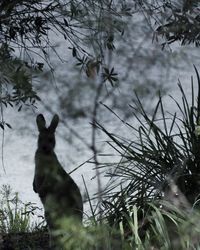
x,y
46,139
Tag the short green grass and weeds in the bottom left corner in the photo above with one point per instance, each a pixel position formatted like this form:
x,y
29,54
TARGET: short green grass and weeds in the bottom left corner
x,y
20,225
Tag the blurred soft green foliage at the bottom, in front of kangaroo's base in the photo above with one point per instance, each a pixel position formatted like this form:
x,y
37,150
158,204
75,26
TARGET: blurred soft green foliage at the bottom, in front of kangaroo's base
x,y
74,236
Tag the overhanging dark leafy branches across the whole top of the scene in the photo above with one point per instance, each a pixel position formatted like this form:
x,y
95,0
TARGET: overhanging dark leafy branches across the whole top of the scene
x,y
27,27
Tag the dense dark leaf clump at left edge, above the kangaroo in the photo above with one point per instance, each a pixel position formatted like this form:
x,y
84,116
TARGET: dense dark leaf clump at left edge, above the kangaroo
x,y
16,80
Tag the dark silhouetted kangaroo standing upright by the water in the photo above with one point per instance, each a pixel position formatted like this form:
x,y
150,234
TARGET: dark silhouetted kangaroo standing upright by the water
x,y
58,192
